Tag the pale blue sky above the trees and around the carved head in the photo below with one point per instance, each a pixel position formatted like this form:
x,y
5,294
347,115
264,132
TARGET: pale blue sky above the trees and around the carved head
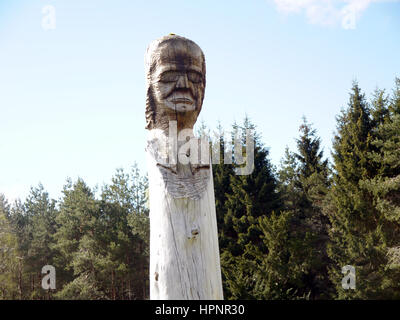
x,y
72,86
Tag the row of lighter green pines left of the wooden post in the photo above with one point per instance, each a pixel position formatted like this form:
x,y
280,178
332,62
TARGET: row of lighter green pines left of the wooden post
x,y
99,247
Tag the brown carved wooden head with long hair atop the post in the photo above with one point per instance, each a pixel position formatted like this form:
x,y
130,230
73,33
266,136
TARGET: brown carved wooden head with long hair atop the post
x,y
176,79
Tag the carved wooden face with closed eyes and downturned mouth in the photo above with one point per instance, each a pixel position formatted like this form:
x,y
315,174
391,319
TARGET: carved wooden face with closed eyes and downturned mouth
x,y
179,79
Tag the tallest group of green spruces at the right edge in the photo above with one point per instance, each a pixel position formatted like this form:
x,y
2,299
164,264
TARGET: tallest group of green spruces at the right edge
x,y
364,206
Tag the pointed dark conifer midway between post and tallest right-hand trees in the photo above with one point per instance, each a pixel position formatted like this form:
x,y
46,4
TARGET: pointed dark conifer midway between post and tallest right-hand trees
x,y
304,182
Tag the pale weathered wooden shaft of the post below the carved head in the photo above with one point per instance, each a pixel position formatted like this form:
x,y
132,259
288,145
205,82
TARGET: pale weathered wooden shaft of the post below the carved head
x,y
184,251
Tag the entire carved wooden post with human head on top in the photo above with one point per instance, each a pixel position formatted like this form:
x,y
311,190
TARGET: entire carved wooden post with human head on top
x,y
184,251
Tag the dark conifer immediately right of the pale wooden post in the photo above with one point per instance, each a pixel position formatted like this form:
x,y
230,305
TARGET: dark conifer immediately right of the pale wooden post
x,y
252,196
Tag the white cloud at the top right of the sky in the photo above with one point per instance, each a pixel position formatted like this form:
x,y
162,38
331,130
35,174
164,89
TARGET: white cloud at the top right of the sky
x,y
328,12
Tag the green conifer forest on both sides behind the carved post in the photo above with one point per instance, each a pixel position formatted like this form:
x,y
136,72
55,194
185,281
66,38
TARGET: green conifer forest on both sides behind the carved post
x,y
284,232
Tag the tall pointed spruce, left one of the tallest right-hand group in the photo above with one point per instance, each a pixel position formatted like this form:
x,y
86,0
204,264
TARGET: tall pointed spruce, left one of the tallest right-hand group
x,y
356,233
